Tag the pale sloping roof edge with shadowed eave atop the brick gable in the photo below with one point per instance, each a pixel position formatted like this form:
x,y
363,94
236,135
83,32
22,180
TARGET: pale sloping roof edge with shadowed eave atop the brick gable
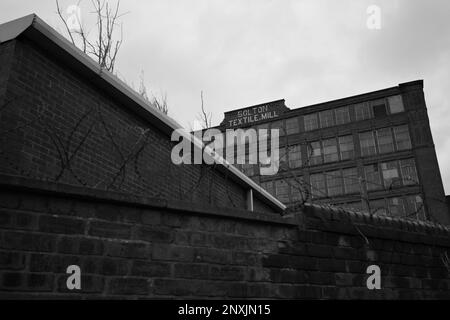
x,y
44,36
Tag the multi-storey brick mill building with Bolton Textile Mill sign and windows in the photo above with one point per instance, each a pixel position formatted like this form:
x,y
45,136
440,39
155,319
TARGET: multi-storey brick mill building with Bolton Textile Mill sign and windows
x,y
371,152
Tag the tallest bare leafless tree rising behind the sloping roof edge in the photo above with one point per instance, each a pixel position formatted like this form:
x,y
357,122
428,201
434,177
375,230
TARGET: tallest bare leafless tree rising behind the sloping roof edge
x,y
105,44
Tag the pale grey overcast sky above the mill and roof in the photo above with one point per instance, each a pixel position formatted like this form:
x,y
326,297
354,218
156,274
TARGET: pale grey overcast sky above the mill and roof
x,y
245,52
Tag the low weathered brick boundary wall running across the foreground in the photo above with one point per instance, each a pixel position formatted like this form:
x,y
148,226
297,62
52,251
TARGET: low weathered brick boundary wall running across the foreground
x,y
135,247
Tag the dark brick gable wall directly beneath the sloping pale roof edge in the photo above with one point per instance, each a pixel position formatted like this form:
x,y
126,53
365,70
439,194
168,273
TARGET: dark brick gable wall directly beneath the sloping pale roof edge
x,y
56,125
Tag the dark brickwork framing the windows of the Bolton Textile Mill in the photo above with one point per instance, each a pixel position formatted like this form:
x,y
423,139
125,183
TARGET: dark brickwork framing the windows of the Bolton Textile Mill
x,y
415,116
